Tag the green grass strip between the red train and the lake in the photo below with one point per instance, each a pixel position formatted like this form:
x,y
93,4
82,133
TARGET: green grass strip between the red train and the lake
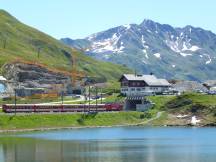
x,y
37,121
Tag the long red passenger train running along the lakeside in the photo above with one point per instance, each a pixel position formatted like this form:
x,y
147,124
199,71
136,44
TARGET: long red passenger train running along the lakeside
x,y
37,108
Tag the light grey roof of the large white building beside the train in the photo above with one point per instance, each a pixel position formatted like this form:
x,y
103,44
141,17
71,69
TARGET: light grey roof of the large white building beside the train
x,y
151,80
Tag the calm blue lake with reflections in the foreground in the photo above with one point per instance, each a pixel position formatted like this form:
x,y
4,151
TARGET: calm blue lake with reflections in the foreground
x,y
128,144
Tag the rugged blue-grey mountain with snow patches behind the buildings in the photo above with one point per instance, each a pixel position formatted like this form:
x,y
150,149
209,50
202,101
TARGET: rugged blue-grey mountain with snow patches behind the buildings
x,y
182,53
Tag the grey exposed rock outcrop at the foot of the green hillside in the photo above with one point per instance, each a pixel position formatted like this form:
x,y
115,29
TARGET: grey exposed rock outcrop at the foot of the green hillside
x,y
30,79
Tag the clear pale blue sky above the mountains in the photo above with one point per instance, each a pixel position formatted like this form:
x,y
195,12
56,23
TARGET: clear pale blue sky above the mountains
x,y
80,18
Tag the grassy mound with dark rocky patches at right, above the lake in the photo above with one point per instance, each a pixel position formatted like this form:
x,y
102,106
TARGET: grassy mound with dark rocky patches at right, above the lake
x,y
190,104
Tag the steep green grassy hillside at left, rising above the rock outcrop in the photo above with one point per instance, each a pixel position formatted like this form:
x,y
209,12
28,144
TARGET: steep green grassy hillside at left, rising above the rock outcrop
x,y
19,42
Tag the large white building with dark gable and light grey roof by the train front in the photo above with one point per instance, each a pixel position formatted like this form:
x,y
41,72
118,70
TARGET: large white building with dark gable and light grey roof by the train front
x,y
142,85
